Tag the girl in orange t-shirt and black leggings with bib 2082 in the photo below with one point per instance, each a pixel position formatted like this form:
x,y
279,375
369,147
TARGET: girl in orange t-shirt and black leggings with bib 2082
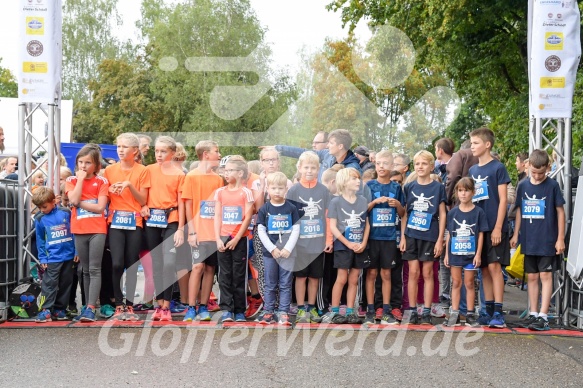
x,y
164,229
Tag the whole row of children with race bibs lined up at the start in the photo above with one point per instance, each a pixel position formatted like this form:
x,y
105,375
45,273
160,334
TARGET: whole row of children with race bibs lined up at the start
x,y
327,239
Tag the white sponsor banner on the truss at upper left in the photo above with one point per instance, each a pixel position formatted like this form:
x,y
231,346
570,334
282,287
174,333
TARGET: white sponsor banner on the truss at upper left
x,y
40,45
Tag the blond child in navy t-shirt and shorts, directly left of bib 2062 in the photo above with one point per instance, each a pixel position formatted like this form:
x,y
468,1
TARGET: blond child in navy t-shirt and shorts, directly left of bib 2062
x,y
423,227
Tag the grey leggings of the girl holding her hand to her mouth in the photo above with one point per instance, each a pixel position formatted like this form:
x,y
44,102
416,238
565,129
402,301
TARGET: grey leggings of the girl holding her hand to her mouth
x,y
90,250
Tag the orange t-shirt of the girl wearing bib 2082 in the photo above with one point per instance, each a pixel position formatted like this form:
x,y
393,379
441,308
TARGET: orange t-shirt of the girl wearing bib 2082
x,y
164,193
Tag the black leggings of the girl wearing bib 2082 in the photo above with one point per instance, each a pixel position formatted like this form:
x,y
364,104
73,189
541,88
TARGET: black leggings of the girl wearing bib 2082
x,y
161,244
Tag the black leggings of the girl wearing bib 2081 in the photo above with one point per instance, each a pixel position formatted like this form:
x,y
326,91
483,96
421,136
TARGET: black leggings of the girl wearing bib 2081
x,y
125,253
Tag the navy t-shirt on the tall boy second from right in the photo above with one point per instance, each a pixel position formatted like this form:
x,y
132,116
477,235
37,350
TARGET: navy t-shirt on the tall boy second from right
x,y
487,179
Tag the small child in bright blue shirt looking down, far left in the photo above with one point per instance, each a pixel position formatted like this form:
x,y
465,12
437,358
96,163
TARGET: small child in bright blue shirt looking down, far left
x,y
56,251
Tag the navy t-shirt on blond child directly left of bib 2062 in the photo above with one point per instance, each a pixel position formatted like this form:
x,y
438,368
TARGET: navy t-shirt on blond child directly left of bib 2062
x,y
422,205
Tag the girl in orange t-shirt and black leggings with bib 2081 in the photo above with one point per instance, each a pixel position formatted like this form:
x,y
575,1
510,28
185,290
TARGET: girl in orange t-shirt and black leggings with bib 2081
x,y
128,192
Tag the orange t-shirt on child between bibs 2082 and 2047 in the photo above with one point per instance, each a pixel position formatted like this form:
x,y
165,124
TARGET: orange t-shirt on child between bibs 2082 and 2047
x,y
200,188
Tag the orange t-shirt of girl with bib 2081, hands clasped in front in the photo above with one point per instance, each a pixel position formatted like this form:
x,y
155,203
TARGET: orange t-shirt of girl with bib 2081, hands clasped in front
x,y
139,176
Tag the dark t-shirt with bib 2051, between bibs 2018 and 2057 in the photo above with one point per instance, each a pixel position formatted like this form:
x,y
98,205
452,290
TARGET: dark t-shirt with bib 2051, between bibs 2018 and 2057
x,y
351,219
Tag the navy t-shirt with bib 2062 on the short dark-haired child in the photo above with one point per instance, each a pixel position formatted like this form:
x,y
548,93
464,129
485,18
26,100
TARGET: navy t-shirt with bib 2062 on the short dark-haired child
x,y
464,229
